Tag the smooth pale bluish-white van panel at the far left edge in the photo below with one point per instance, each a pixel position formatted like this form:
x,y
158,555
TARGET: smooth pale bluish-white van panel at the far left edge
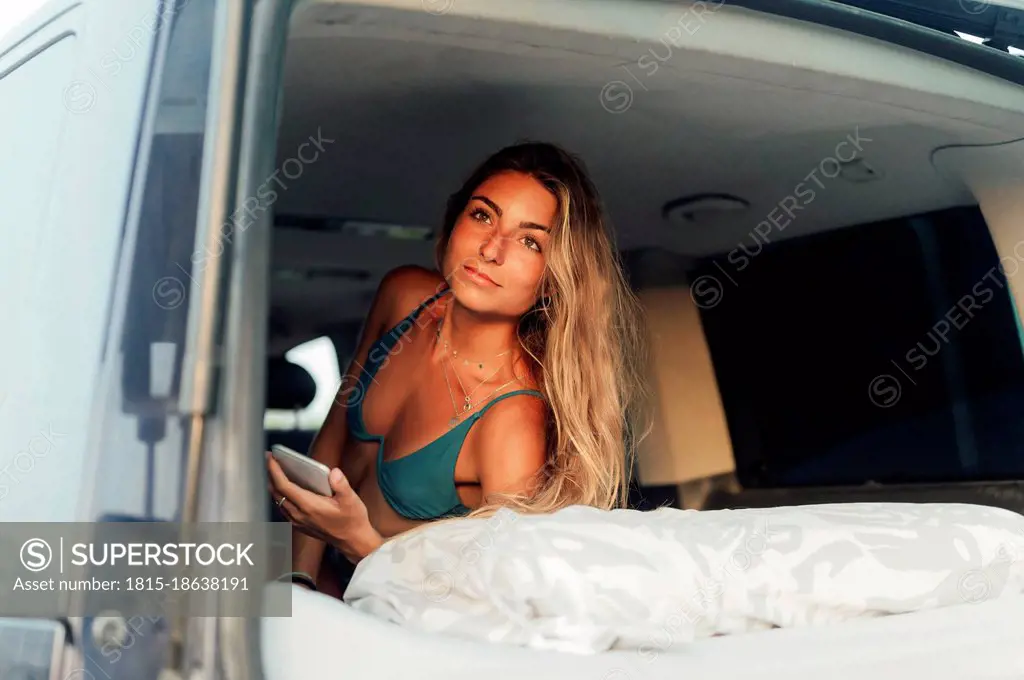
x,y
70,140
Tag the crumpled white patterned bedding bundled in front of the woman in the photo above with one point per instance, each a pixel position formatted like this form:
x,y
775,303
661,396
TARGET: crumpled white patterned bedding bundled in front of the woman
x,y
585,580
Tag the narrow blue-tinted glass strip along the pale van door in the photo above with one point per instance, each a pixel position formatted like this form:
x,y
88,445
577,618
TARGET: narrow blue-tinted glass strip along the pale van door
x,y
145,434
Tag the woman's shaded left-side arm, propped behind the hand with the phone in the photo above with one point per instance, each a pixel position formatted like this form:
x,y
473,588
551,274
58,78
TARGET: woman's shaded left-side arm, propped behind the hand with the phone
x,y
308,552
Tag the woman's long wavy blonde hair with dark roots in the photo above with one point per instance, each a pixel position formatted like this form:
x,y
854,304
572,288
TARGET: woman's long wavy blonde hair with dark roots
x,y
584,341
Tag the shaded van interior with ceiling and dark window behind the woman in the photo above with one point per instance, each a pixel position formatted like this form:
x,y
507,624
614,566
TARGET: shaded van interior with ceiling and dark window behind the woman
x,y
814,220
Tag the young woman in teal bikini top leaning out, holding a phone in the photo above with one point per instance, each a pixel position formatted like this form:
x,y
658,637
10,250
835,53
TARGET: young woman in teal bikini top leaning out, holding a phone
x,y
511,377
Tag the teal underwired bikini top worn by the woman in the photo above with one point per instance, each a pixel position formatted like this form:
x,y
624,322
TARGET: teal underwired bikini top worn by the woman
x,y
420,486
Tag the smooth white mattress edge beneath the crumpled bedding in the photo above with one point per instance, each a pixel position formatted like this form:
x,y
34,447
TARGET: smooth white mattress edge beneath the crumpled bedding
x,y
326,640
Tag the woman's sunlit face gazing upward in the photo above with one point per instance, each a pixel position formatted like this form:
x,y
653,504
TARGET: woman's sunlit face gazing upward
x,y
497,252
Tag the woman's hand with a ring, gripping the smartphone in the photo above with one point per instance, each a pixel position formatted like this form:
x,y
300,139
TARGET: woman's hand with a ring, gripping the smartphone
x,y
340,521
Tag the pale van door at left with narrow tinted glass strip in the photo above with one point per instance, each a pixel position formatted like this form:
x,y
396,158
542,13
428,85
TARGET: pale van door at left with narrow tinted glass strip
x,y
117,160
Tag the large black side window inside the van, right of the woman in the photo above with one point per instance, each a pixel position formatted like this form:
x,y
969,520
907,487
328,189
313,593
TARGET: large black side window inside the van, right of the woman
x,y
887,353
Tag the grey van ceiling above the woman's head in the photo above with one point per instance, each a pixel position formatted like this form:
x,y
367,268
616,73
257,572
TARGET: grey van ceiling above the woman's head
x,y
746,105
